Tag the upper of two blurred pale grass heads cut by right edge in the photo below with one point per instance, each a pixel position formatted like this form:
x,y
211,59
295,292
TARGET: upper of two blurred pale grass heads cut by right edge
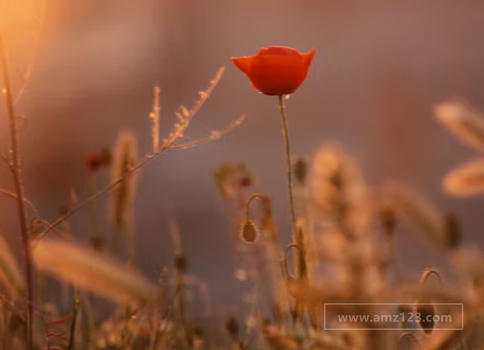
x,y
464,121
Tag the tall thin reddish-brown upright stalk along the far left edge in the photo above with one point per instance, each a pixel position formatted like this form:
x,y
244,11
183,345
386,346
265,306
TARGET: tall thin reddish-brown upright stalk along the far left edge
x,y
17,175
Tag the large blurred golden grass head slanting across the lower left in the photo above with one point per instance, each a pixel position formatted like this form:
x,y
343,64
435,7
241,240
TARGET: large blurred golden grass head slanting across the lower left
x,y
91,271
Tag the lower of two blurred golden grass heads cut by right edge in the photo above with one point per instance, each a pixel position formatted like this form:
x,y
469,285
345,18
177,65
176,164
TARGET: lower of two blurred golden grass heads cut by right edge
x,y
466,180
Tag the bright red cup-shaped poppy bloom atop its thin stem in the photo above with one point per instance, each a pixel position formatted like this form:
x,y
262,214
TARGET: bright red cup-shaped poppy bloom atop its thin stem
x,y
277,70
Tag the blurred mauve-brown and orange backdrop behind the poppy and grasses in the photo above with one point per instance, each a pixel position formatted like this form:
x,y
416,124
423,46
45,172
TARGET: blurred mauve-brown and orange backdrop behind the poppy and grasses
x,y
380,68
